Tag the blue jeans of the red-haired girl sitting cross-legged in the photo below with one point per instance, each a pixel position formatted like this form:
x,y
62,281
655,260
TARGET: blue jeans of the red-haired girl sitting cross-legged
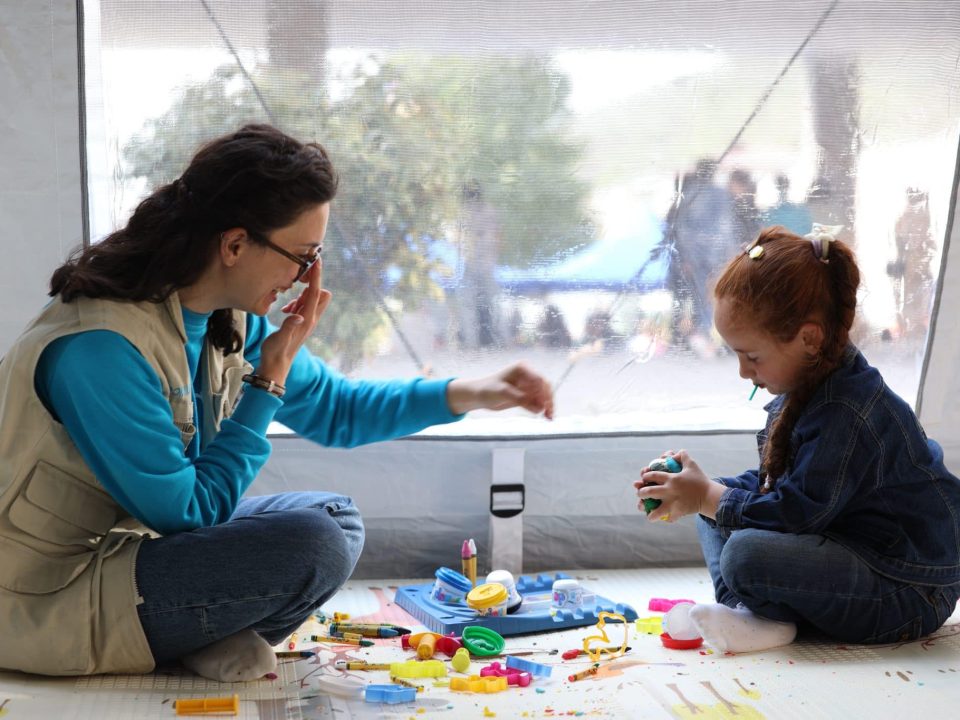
x,y
817,582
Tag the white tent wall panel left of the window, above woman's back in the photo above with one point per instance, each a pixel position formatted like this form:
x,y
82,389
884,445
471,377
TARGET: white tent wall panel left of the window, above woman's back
x,y
41,190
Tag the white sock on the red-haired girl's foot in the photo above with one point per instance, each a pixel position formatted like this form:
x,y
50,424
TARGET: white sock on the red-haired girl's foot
x,y
739,630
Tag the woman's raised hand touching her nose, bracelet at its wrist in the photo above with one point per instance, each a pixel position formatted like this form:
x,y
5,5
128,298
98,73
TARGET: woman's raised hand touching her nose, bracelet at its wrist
x,y
279,348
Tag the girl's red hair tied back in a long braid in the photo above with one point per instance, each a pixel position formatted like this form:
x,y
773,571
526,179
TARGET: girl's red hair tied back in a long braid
x,y
784,287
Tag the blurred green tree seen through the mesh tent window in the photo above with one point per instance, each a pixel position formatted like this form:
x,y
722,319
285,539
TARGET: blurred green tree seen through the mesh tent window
x,y
406,140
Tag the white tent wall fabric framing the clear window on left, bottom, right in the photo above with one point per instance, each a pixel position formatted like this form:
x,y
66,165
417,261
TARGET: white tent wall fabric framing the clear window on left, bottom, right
x,y
420,496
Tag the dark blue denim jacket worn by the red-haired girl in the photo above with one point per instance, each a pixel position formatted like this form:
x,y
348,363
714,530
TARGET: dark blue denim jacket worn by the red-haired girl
x,y
863,473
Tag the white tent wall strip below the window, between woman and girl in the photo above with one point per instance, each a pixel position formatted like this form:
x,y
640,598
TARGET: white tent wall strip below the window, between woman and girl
x,y
421,497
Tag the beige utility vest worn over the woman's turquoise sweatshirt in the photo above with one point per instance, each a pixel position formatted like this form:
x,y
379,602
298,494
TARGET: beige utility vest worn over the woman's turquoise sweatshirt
x,y
68,597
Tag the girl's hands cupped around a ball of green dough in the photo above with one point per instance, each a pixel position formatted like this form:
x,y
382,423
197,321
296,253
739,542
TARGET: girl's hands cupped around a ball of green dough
x,y
684,493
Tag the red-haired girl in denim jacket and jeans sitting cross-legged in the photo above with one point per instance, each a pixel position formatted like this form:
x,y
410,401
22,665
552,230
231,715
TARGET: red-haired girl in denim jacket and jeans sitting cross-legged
x,y
851,524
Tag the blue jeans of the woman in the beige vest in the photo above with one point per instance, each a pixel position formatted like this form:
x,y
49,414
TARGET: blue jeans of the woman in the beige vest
x,y
267,568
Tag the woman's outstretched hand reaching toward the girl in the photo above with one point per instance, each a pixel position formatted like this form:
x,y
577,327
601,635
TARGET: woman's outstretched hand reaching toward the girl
x,y
514,386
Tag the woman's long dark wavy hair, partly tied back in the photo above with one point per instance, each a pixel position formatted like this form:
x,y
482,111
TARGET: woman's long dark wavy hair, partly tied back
x,y
256,178
